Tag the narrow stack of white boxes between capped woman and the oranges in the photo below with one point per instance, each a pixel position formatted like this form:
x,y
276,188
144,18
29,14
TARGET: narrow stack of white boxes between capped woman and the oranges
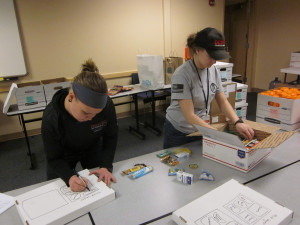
x,y
241,100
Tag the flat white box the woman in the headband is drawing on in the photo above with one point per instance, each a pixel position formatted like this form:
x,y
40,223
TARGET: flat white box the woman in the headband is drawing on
x,y
55,203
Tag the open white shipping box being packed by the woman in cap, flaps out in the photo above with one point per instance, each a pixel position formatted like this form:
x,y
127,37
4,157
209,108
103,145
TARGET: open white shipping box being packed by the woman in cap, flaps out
x,y
228,148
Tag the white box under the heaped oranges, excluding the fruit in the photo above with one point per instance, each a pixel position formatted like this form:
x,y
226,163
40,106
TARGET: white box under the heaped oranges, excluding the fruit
x,y
281,112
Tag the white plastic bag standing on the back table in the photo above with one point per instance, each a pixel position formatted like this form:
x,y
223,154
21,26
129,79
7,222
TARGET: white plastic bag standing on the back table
x,y
151,71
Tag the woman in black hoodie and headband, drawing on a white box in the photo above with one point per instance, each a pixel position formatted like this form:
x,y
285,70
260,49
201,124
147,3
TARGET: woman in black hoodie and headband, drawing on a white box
x,y
80,125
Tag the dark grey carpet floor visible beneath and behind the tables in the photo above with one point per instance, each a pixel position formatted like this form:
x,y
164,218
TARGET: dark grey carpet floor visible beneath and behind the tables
x,y
15,164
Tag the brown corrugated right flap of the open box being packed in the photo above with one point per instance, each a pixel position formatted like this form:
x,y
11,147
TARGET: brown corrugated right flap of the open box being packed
x,y
274,140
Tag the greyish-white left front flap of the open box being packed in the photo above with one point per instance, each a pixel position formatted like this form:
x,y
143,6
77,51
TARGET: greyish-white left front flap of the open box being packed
x,y
230,139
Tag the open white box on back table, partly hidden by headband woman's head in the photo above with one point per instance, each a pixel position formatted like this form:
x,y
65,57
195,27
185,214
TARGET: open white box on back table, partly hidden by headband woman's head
x,y
51,86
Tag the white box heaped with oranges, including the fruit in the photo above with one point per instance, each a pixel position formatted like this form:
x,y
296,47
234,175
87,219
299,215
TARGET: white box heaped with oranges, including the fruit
x,y
279,106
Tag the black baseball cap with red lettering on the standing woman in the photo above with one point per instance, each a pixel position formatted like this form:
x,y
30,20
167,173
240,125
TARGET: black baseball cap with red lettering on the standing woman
x,y
213,41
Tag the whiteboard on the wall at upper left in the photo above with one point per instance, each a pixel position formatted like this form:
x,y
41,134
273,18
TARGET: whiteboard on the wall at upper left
x,y
12,63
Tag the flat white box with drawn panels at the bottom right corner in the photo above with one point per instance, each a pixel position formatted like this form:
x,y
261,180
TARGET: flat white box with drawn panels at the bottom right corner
x,y
233,204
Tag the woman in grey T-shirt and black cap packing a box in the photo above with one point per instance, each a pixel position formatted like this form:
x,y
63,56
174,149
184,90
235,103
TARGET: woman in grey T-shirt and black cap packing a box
x,y
194,85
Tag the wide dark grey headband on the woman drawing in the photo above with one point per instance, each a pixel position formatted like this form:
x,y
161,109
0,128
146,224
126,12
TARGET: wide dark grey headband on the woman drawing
x,y
89,97
